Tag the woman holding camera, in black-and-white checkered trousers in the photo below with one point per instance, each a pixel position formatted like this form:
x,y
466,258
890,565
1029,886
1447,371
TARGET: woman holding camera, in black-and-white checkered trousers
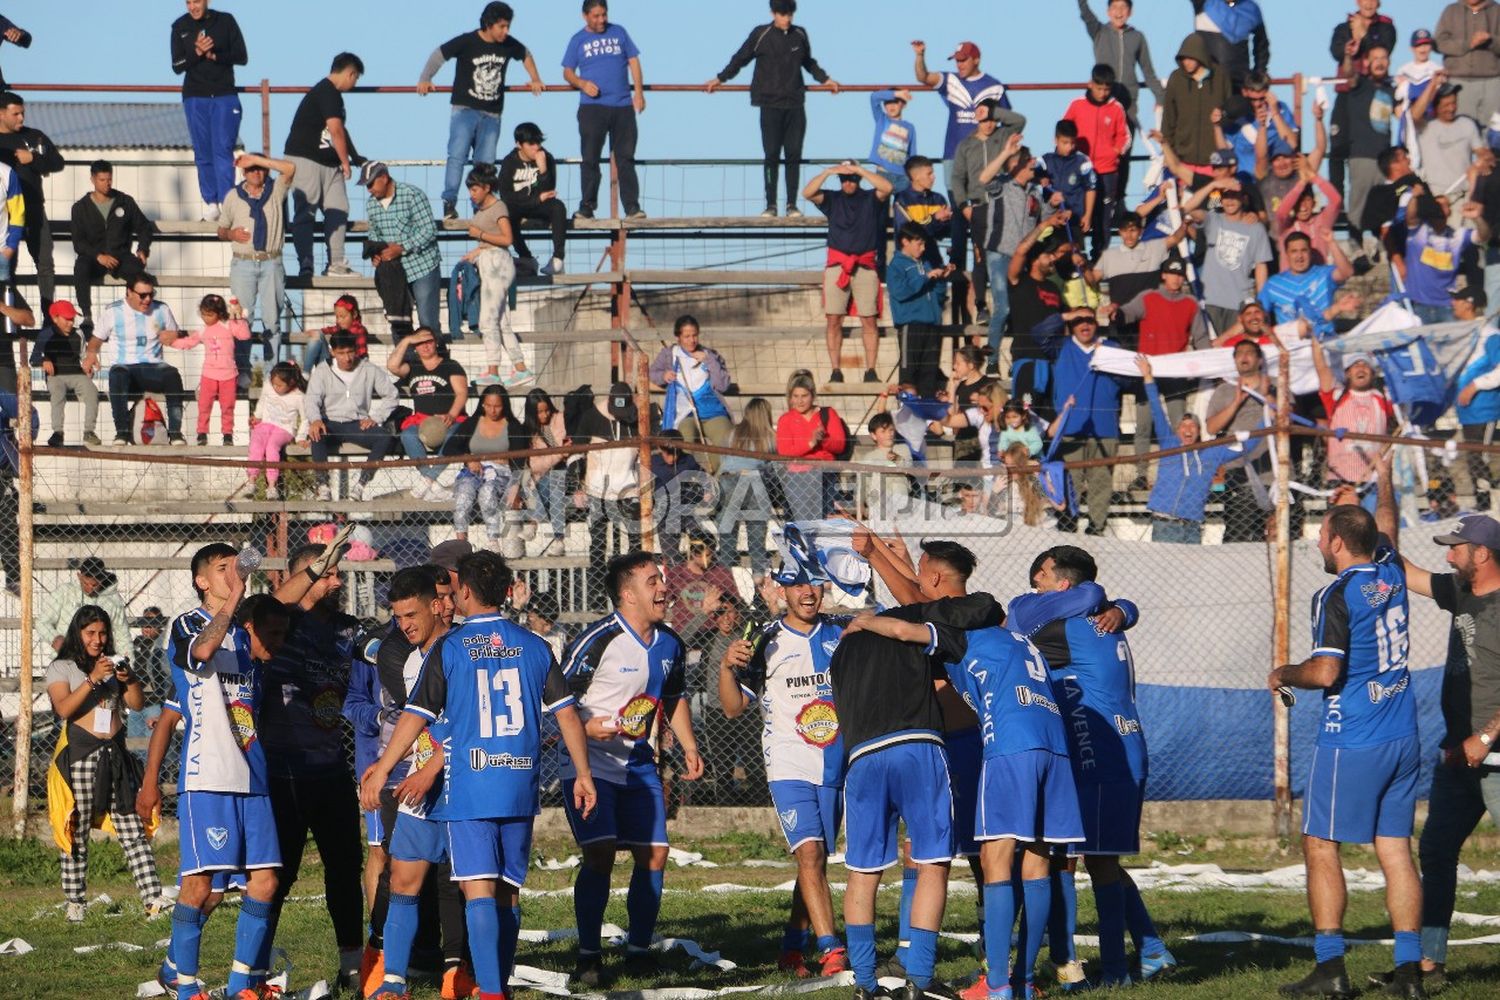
x,y
94,777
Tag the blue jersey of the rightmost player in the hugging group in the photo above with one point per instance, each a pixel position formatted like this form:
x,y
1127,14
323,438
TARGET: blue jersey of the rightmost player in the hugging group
x,y
1093,678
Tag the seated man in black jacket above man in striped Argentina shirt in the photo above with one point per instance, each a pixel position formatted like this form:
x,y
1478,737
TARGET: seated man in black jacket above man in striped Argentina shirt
x,y
106,224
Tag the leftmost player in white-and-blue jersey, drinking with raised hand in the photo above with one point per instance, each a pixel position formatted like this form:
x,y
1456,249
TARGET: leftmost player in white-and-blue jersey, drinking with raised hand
x,y
224,807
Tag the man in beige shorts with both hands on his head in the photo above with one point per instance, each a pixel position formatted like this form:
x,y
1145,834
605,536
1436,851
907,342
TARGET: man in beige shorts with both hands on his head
x,y
854,241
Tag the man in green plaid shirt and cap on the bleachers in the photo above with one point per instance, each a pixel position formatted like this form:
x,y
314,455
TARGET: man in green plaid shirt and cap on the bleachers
x,y
403,230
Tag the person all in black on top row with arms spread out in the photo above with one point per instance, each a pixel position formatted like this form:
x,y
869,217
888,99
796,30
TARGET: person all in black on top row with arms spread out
x,y
781,53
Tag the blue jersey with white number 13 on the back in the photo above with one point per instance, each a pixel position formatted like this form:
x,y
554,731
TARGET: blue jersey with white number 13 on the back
x,y
490,681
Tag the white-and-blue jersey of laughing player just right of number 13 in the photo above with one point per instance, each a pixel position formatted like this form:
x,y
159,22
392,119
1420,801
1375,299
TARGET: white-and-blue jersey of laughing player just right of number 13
x,y
626,678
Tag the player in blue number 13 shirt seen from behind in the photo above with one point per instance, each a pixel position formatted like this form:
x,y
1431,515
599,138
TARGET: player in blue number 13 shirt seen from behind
x,y
488,681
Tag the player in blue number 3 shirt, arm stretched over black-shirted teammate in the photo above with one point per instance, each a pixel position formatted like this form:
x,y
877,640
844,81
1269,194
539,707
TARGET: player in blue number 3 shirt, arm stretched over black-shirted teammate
x,y
1027,792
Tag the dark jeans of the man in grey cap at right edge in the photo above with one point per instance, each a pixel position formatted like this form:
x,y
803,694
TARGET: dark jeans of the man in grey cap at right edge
x,y
1457,803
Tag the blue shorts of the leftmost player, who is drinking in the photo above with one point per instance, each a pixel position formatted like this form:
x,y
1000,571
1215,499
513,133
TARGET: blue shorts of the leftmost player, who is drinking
x,y
224,831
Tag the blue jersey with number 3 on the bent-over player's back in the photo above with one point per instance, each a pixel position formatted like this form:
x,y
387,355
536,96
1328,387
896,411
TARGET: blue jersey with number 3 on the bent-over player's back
x,y
1004,680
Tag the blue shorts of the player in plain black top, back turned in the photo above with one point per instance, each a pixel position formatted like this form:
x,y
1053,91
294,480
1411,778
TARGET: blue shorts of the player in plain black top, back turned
x,y
907,782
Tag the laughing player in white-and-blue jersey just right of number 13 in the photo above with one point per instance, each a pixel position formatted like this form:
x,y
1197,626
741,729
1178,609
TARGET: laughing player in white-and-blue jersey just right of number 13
x,y
626,672
